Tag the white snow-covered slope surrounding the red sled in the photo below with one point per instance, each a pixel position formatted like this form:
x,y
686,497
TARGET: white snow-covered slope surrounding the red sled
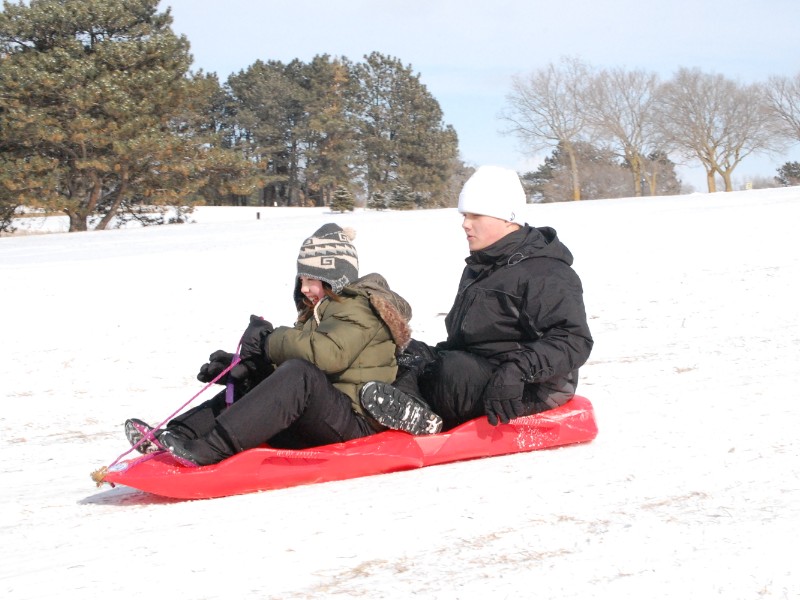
x,y
691,489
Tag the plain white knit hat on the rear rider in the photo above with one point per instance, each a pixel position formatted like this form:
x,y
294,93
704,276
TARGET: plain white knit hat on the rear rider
x,y
494,192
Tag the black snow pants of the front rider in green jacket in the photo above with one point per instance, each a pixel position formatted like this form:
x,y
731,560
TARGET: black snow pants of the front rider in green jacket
x,y
295,407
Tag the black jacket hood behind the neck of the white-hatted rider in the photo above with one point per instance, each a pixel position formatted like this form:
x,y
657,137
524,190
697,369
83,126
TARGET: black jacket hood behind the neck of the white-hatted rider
x,y
526,242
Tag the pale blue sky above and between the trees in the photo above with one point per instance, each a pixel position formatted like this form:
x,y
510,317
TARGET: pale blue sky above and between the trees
x,y
466,51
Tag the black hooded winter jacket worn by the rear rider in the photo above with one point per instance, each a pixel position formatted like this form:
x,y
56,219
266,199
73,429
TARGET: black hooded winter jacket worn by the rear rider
x,y
520,305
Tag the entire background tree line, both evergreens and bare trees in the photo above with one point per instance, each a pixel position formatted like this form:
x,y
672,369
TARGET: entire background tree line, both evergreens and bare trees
x,y
102,120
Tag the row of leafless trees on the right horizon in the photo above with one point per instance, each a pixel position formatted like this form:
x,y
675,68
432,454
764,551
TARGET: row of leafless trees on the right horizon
x,y
636,122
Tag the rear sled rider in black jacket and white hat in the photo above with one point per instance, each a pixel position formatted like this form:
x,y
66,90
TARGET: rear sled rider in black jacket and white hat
x,y
517,332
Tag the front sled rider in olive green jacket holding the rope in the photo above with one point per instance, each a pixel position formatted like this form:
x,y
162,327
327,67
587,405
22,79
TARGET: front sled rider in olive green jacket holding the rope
x,y
299,386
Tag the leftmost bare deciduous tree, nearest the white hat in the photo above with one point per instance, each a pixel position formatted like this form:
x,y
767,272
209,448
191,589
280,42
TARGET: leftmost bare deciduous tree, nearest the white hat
x,y
547,109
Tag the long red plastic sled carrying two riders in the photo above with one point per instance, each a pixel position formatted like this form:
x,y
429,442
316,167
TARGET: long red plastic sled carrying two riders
x,y
271,468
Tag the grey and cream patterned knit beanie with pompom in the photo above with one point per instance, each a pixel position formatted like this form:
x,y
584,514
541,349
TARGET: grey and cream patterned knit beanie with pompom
x,y
329,255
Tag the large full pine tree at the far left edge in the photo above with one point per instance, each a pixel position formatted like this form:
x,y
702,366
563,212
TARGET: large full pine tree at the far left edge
x,y
98,113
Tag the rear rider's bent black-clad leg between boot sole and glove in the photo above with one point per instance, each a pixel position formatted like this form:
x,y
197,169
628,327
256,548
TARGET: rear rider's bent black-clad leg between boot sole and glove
x,y
454,385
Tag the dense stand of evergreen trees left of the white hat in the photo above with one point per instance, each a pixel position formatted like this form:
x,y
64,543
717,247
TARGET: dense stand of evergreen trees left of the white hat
x,y
101,119
